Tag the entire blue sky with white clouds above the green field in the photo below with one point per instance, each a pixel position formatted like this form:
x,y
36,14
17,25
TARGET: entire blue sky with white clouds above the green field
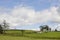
x,y
30,14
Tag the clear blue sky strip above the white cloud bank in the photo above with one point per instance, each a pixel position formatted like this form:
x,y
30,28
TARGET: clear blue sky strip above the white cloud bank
x,y
36,4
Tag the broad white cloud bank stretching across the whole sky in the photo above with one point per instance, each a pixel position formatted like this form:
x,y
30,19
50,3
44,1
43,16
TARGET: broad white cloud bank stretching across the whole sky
x,y
22,15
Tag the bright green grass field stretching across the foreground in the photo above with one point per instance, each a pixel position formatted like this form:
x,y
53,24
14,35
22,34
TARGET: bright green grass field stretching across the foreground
x,y
29,35
